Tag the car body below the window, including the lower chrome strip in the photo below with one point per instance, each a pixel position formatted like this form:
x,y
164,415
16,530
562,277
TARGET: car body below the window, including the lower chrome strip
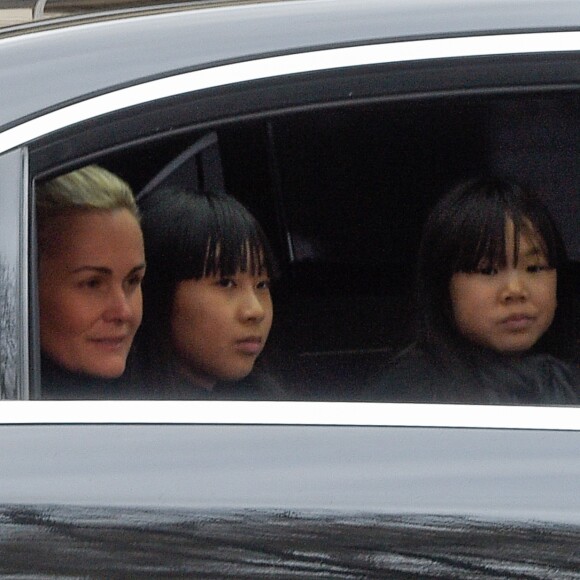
x,y
262,498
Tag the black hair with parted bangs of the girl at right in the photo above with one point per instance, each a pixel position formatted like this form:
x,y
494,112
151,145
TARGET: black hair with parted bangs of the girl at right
x,y
467,228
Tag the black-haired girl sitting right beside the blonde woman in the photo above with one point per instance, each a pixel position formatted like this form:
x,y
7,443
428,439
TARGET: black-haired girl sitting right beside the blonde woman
x,y
206,297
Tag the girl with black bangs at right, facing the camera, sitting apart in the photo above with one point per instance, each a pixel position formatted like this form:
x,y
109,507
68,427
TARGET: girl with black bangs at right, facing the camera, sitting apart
x,y
493,306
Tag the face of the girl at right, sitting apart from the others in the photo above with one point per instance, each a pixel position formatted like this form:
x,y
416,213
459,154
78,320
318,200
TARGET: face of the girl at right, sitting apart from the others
x,y
506,309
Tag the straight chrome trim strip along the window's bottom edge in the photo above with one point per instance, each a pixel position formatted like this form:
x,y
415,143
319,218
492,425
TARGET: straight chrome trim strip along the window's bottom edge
x,y
289,413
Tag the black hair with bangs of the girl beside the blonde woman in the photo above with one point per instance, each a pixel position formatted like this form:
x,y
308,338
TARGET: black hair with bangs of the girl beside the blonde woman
x,y
191,235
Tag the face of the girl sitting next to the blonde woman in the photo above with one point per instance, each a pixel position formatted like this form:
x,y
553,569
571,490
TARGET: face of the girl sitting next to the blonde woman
x,y
219,325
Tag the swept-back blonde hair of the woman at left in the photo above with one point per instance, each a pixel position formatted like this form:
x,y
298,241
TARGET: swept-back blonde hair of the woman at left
x,y
90,188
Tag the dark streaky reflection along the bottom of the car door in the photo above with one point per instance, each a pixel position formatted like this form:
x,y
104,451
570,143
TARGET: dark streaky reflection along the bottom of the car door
x,y
302,544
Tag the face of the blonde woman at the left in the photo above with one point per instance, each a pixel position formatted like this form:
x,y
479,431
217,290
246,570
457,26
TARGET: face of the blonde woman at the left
x,y
90,291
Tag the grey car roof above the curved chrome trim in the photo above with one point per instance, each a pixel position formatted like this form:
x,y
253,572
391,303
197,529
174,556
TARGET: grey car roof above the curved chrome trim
x,y
45,65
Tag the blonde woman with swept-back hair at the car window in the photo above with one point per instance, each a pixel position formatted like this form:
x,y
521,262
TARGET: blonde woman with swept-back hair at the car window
x,y
91,264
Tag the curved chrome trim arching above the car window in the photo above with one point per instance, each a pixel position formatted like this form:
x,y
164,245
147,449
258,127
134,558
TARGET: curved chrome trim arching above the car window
x,y
318,60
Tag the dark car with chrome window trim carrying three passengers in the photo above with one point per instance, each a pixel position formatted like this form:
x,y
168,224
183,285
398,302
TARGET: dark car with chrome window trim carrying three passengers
x,y
338,124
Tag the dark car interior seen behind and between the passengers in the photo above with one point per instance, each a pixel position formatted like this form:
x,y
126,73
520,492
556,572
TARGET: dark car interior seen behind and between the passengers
x,y
342,192
